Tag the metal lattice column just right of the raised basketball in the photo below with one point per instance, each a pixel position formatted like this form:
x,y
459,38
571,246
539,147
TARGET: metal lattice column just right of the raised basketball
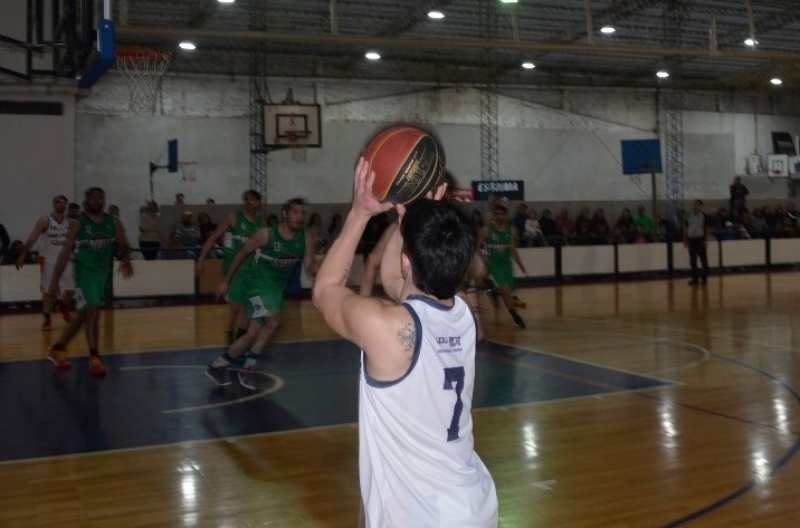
x,y
490,164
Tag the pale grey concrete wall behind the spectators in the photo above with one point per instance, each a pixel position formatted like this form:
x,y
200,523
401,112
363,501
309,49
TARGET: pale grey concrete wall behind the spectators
x,y
564,143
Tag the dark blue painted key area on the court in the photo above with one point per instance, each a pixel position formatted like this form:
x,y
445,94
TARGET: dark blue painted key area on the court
x,y
163,397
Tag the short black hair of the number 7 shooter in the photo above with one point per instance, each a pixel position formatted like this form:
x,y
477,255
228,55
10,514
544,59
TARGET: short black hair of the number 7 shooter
x,y
439,240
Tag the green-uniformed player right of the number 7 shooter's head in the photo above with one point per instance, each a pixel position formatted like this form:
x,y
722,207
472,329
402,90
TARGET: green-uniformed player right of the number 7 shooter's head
x,y
500,239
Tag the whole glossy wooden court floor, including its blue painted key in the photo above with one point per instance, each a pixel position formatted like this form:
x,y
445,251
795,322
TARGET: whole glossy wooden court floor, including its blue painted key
x,y
633,404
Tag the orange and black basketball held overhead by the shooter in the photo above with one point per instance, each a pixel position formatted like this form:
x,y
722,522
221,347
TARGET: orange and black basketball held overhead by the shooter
x,y
407,162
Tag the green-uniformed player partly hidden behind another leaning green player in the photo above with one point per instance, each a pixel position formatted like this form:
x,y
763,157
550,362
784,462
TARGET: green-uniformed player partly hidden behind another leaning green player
x,y
234,231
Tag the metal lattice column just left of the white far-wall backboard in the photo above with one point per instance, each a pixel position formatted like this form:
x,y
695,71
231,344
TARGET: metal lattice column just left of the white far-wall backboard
x,y
259,96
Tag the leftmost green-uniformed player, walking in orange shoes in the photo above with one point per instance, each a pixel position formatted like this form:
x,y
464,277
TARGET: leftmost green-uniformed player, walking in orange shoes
x,y
93,239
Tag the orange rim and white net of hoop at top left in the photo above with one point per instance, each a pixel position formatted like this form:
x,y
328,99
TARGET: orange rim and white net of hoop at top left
x,y
142,70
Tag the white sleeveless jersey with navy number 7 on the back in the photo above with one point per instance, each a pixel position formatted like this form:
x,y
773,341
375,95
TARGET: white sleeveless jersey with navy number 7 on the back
x,y
418,463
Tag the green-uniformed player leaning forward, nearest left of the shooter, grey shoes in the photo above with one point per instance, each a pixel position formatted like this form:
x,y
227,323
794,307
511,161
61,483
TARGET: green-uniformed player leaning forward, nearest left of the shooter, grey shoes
x,y
272,253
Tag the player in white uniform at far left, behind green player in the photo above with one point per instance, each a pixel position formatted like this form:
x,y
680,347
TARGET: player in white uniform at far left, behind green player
x,y
51,232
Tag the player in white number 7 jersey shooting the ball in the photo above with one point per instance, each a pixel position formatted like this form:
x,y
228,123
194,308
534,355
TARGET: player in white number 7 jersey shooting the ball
x,y
417,462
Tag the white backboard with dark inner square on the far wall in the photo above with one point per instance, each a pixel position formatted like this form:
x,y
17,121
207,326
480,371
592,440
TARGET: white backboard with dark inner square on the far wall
x,y
289,125
